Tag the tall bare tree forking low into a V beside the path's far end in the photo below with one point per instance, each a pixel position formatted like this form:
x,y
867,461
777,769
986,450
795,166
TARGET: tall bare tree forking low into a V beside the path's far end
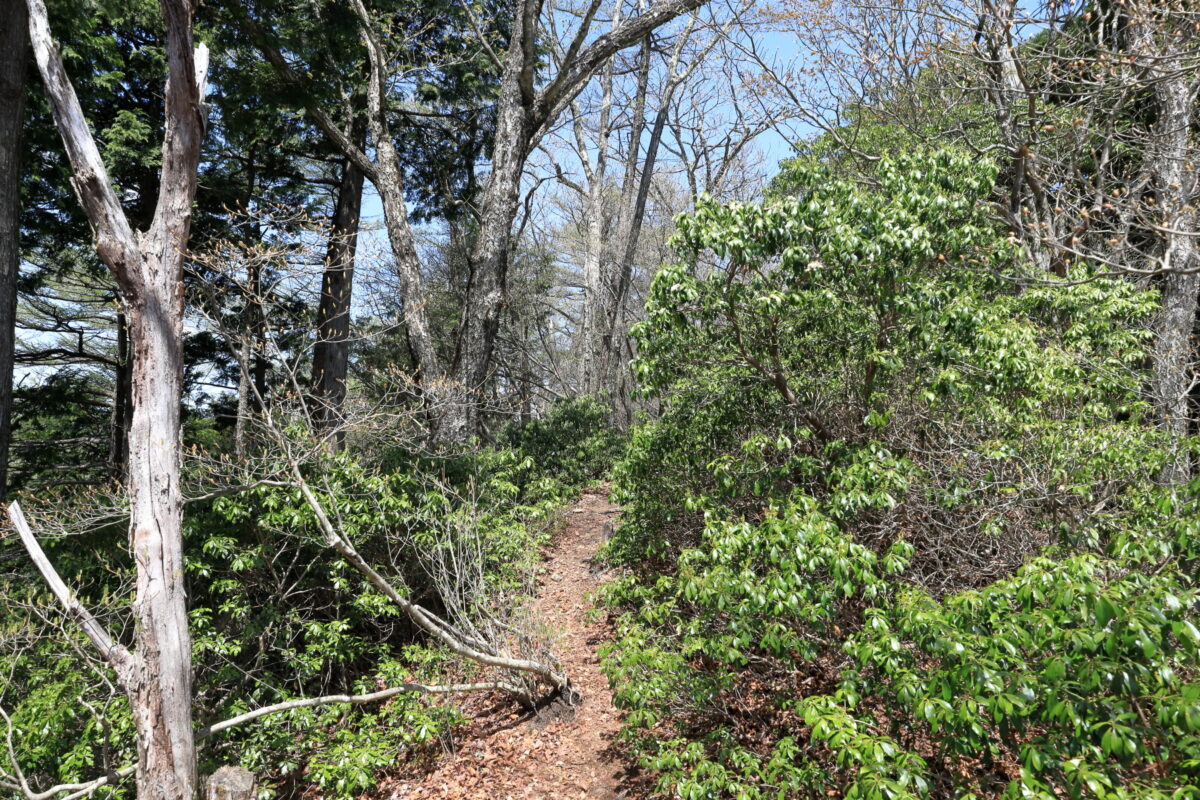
x,y
529,106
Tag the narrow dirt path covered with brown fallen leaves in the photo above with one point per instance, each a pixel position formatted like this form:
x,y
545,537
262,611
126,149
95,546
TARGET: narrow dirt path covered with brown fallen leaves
x,y
560,753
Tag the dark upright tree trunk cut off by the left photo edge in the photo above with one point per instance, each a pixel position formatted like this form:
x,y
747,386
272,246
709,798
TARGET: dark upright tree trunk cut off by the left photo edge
x,y
14,55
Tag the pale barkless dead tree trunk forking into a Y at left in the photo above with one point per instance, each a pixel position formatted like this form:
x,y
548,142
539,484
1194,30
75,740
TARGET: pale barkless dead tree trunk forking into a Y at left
x,y
148,266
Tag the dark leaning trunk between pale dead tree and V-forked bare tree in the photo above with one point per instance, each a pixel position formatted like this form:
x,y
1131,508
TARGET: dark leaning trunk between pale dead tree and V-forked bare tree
x,y
332,354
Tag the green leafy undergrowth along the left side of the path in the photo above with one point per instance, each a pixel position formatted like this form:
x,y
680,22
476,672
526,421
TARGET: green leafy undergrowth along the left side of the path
x,y
277,616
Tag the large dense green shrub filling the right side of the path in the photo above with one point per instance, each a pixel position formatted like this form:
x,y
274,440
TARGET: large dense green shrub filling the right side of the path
x,y
895,534
